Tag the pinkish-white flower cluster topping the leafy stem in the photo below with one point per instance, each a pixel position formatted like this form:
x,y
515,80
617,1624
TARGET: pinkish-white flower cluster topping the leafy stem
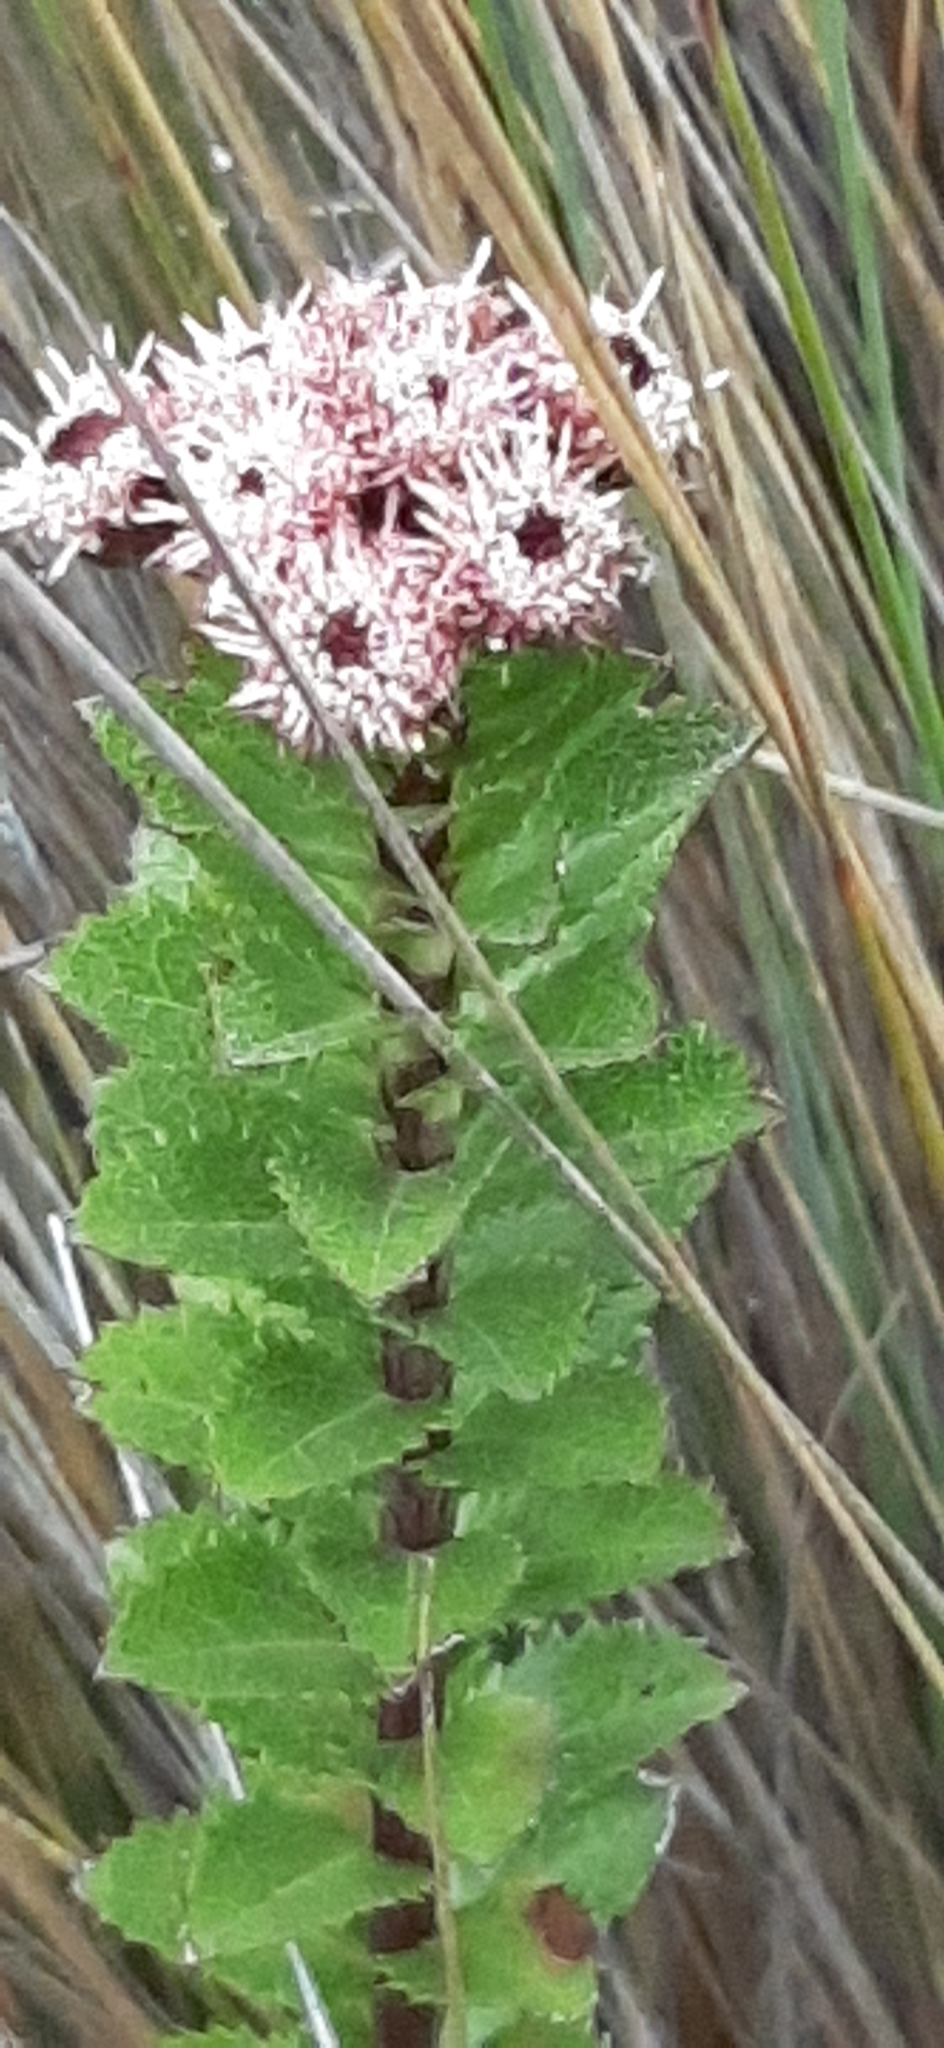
x,y
402,476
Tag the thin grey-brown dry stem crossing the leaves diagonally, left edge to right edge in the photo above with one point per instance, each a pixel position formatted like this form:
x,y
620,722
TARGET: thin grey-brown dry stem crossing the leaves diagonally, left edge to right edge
x,y
650,1250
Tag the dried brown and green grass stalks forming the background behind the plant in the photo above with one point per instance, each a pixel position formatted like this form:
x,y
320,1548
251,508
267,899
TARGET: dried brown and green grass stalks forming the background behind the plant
x,y
787,167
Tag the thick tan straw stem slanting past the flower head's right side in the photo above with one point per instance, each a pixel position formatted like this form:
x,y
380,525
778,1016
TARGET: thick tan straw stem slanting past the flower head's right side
x,y
443,89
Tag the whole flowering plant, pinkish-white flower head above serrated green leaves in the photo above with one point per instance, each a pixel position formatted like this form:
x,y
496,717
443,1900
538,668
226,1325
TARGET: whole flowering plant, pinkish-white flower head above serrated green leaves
x,y
404,1363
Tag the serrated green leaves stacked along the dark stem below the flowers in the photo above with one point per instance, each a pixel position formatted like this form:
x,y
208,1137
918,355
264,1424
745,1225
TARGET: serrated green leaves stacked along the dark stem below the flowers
x,y
404,1365
